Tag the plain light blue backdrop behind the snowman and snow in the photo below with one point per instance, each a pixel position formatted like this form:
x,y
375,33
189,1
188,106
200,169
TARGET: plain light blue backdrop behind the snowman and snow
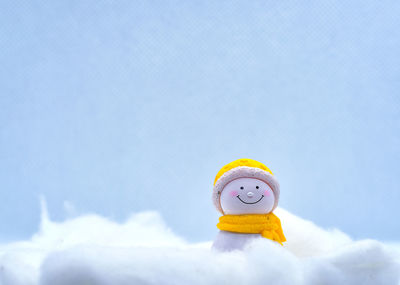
x,y
124,106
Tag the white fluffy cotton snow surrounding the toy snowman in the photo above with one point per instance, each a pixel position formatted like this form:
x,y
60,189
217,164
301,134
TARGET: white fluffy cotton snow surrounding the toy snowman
x,y
92,250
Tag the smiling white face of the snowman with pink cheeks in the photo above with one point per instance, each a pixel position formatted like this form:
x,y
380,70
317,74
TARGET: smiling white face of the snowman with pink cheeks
x,y
247,196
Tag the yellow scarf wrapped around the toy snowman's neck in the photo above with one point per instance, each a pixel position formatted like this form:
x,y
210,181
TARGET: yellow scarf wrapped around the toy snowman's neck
x,y
268,225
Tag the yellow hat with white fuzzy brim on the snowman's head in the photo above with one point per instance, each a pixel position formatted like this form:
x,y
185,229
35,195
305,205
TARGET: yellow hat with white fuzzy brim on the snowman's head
x,y
241,168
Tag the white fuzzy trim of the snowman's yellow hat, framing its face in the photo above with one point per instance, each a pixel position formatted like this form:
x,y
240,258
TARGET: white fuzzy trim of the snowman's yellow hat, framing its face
x,y
244,172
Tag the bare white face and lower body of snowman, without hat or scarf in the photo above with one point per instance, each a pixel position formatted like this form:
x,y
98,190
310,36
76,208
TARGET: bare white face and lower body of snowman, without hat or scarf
x,y
243,196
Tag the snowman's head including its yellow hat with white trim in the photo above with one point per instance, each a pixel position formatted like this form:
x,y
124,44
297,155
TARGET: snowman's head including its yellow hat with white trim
x,y
245,186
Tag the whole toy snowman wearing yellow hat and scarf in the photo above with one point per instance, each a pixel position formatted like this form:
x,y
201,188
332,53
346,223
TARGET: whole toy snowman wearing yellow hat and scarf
x,y
246,192
